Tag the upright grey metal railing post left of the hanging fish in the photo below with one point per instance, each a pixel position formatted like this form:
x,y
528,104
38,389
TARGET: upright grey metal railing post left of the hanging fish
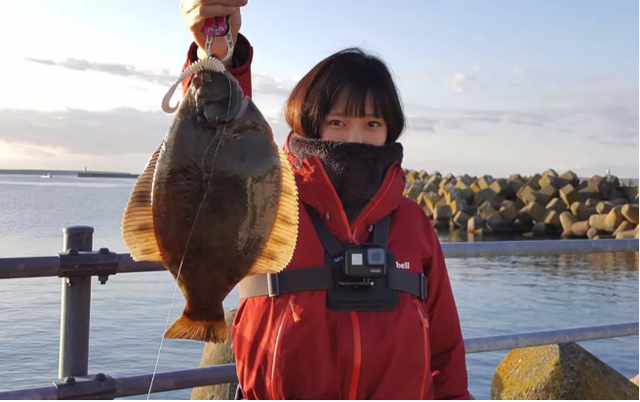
x,y
75,309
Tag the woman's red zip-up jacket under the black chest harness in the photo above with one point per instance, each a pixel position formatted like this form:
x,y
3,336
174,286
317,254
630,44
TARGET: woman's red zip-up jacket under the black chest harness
x,y
293,347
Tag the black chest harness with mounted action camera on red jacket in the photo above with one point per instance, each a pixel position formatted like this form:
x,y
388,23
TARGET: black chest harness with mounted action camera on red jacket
x,y
356,278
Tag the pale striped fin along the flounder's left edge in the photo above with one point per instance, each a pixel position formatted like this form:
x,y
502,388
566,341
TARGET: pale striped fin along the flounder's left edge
x,y
138,231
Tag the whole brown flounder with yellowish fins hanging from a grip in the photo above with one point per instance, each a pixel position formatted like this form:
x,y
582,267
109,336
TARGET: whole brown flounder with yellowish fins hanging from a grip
x,y
216,202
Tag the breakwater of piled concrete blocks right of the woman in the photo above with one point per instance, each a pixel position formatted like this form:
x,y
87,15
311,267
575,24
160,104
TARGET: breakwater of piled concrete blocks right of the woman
x,y
546,204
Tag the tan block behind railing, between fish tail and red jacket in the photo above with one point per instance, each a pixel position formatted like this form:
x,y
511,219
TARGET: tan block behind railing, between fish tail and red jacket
x,y
214,354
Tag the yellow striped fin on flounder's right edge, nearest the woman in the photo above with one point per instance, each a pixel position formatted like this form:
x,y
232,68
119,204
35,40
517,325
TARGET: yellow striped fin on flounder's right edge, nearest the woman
x,y
281,243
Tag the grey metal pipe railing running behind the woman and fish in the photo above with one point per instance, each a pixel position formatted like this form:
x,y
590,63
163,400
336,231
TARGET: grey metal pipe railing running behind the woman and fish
x,y
79,263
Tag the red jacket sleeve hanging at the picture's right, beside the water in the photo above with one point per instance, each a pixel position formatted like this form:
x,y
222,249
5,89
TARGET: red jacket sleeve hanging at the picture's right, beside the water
x,y
448,362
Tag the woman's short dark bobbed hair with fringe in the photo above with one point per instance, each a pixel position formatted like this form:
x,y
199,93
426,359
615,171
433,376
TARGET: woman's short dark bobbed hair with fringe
x,y
350,70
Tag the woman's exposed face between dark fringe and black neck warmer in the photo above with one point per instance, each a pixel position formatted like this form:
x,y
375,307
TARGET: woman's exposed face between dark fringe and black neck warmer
x,y
339,127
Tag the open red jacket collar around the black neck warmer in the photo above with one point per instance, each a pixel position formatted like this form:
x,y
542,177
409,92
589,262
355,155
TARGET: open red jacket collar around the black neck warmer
x,y
315,189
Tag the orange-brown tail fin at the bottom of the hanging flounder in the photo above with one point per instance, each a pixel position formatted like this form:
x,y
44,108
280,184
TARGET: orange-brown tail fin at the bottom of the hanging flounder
x,y
195,330
